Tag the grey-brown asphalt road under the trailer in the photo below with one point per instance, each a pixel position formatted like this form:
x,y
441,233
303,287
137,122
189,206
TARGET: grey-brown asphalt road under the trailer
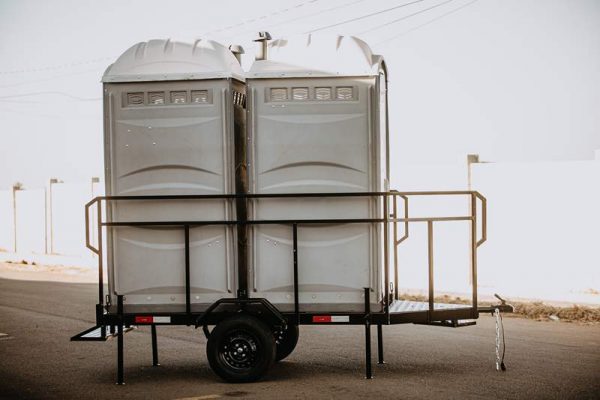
x,y
545,360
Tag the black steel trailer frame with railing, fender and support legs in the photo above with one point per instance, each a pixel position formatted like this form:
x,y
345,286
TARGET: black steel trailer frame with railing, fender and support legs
x,y
121,320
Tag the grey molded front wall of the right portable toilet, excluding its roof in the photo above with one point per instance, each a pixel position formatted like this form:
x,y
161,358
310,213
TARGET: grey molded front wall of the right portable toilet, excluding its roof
x,y
312,145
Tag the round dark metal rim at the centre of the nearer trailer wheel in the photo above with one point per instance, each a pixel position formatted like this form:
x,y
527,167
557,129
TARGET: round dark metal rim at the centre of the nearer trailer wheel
x,y
239,350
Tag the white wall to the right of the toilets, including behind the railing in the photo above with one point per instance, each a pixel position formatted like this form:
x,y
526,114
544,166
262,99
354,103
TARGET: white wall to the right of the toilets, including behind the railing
x,y
543,230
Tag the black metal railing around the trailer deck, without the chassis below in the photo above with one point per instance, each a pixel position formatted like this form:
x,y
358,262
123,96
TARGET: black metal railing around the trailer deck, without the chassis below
x,y
386,219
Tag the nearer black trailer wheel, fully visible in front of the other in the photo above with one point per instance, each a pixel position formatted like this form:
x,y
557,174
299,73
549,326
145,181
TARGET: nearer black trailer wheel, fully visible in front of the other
x,y
241,349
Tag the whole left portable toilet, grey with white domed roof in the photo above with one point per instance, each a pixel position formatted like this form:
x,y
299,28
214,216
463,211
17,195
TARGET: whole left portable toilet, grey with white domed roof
x,y
169,130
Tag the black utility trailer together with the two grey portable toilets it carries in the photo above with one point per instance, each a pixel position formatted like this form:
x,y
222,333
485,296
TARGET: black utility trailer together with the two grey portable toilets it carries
x,y
257,202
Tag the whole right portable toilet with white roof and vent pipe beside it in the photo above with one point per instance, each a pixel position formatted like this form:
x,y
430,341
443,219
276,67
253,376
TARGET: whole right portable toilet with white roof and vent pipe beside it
x,y
317,124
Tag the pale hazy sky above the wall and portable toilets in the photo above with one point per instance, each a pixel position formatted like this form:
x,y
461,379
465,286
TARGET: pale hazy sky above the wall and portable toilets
x,y
513,80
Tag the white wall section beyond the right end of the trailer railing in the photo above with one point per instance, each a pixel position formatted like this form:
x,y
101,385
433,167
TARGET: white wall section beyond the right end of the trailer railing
x,y
544,231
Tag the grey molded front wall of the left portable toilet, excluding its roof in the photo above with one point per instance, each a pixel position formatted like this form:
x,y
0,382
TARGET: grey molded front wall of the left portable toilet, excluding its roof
x,y
171,148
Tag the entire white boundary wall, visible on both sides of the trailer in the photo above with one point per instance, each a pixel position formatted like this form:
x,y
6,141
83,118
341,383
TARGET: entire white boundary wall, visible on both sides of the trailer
x,y
543,228
